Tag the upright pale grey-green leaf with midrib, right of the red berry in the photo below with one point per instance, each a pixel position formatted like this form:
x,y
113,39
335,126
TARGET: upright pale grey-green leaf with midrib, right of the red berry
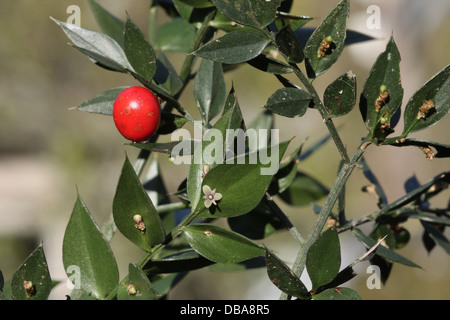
x,y
210,89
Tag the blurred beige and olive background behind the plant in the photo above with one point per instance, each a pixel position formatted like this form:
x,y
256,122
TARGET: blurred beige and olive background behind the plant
x,y
48,151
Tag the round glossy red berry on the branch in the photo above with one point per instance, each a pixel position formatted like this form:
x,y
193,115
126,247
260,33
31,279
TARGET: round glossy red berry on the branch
x,y
136,113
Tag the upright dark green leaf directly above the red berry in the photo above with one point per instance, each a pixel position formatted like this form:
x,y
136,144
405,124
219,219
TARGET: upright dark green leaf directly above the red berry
x,y
139,52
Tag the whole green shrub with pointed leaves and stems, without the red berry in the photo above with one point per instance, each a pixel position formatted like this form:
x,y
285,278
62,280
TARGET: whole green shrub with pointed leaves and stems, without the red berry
x,y
237,190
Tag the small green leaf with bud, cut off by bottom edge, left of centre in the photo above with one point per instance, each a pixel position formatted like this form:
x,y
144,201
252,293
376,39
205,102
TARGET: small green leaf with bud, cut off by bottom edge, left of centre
x,y
136,286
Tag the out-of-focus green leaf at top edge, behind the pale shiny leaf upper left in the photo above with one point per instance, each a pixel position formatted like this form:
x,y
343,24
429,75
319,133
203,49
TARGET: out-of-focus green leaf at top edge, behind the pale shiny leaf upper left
x,y
109,24
